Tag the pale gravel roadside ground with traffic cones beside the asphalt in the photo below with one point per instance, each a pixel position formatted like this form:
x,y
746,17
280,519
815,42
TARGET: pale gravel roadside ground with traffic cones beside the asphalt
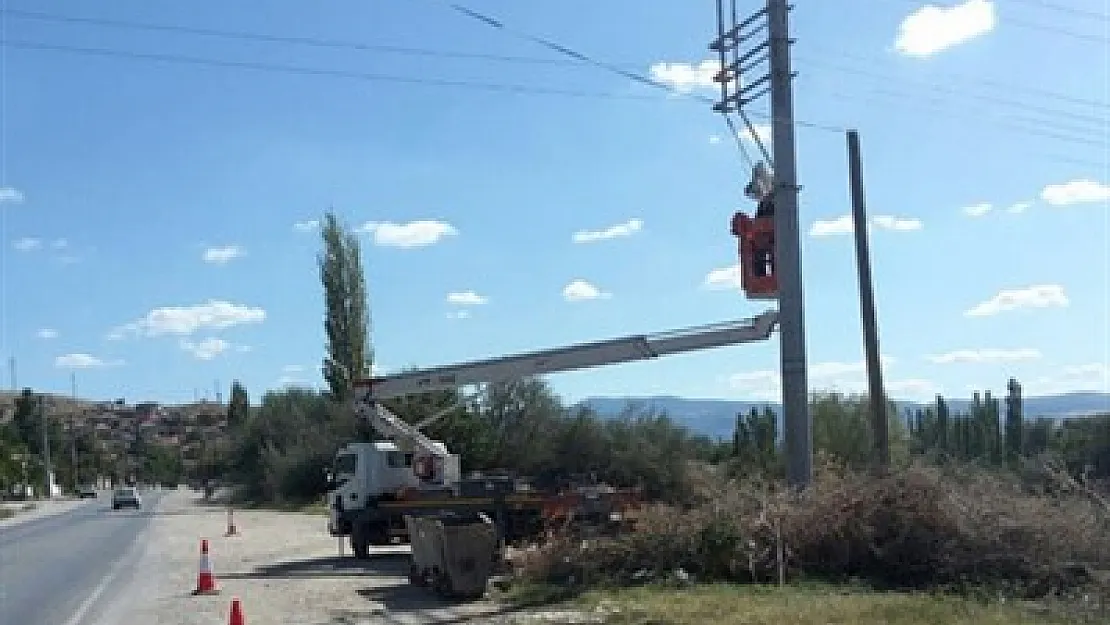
x,y
287,571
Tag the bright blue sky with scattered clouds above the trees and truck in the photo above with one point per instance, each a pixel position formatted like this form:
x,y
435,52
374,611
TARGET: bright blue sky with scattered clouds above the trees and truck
x,y
157,215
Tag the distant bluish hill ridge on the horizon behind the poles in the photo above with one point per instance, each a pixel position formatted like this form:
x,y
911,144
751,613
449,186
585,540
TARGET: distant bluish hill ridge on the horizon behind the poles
x,y
717,418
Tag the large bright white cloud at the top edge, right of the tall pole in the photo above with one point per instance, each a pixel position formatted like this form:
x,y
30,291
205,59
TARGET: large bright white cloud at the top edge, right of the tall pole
x,y
934,29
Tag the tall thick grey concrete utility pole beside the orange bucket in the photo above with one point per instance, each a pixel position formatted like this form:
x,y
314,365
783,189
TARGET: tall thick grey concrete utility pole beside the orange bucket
x,y
792,319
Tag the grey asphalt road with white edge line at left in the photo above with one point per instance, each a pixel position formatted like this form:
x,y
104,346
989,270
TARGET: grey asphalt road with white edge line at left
x,y
65,570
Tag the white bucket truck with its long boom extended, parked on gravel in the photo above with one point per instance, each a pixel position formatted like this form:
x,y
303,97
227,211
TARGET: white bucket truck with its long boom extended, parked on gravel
x,y
375,486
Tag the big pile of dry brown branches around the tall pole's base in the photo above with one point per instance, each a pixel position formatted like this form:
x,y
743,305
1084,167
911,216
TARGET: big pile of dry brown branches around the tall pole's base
x,y
917,528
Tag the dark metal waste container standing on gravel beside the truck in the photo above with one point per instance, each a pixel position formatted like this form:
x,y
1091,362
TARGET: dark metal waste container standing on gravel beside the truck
x,y
452,555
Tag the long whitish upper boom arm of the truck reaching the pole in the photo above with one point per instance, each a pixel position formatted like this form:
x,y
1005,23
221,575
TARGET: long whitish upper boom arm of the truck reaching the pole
x,y
574,358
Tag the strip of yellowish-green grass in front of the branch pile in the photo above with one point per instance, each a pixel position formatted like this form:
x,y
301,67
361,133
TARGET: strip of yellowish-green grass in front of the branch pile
x,y
801,606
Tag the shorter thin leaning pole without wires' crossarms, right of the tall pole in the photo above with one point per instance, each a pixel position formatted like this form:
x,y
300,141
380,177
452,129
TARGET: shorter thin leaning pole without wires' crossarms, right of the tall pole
x,y
879,399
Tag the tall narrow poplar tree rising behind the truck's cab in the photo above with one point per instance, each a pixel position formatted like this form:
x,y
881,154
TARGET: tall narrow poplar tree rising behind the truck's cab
x,y
347,317
